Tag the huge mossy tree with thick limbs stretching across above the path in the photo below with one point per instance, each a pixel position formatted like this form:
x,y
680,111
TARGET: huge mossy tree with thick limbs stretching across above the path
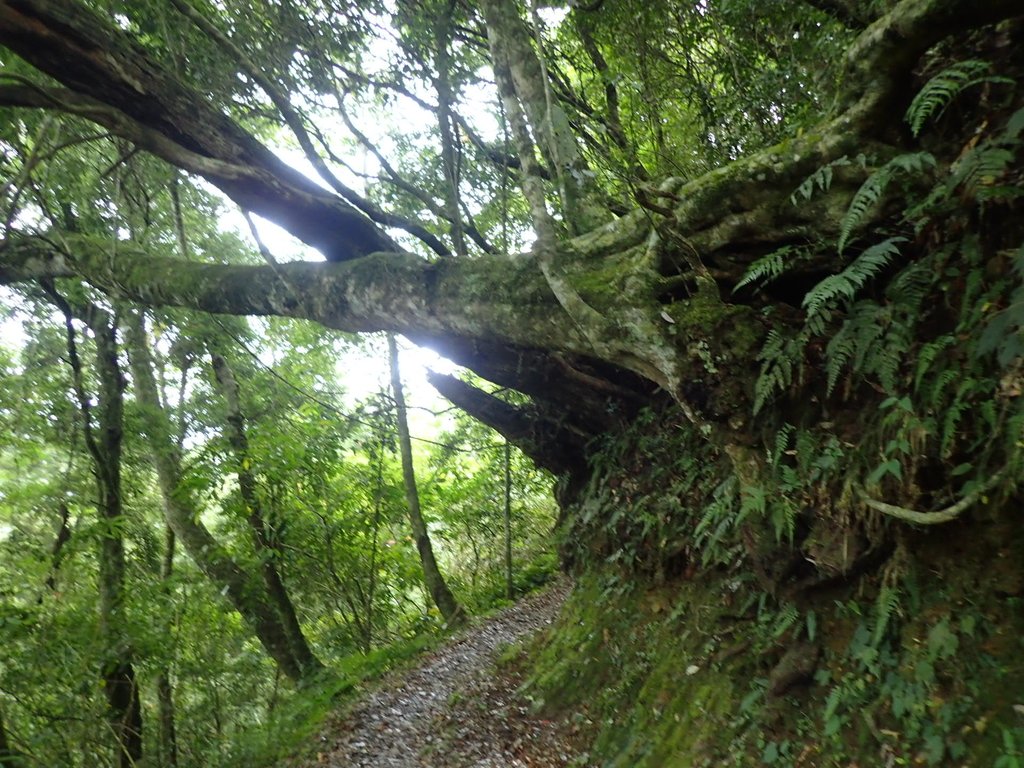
x,y
588,327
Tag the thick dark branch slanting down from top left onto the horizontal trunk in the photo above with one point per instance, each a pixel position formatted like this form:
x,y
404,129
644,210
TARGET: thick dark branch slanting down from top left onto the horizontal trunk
x,y
115,82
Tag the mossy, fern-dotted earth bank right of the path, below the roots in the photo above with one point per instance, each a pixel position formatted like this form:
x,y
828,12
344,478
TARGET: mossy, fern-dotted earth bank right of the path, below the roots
x,y
702,633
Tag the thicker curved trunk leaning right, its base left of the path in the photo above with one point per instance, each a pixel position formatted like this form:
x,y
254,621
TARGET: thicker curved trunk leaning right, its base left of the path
x,y
182,510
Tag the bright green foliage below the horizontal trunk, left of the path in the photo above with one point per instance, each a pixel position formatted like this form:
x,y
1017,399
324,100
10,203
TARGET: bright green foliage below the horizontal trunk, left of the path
x,y
331,488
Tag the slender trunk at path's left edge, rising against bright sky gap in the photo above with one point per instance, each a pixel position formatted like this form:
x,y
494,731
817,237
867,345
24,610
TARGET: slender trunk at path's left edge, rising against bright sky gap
x,y
437,586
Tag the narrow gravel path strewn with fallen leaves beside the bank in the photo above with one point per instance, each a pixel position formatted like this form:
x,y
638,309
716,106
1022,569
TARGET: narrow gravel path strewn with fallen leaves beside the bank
x,y
454,710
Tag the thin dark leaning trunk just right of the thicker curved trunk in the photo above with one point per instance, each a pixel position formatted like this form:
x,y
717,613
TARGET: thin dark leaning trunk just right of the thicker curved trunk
x,y
266,541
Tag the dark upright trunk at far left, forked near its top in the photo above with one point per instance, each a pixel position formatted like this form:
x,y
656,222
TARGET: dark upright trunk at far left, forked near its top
x,y
104,444
